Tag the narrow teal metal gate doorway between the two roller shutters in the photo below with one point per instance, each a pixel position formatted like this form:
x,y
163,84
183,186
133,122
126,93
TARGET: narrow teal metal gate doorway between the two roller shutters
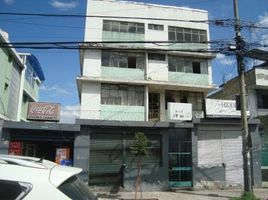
x,y
180,159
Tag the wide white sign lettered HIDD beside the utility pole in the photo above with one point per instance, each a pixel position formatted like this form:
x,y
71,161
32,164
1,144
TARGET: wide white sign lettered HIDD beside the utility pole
x,y
222,108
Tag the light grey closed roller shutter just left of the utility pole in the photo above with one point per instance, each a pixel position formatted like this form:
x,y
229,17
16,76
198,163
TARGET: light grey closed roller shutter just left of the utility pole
x,y
216,147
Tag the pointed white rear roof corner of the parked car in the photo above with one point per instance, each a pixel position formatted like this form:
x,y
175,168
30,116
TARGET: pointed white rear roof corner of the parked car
x,y
58,174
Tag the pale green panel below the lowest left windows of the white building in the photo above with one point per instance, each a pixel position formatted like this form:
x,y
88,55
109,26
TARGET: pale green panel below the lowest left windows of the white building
x,y
122,113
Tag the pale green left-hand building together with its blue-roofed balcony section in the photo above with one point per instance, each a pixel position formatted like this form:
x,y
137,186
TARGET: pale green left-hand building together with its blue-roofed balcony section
x,y
20,80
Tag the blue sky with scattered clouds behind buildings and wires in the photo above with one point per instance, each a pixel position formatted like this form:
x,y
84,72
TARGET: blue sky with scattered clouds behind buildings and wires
x,y
61,67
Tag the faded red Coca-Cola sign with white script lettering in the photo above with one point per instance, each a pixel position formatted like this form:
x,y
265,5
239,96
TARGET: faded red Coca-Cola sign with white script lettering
x,y
43,111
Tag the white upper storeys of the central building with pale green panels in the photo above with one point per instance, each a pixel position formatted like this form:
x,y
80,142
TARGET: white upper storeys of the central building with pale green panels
x,y
135,81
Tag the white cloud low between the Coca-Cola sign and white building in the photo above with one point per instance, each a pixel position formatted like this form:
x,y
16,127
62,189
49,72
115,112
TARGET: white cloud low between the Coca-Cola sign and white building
x,y
69,113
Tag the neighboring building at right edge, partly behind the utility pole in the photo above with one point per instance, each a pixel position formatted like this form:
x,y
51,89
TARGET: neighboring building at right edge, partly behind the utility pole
x,y
256,81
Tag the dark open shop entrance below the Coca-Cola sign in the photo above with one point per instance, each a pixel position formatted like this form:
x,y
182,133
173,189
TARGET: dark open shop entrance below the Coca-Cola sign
x,y
55,146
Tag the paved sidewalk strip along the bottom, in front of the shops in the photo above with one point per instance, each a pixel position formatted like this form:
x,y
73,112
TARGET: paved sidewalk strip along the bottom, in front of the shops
x,y
185,195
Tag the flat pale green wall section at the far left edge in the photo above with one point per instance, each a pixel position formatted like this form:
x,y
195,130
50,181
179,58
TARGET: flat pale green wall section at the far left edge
x,y
5,72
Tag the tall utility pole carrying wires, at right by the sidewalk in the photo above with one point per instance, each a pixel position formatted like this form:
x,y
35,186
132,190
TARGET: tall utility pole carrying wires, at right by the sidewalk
x,y
241,72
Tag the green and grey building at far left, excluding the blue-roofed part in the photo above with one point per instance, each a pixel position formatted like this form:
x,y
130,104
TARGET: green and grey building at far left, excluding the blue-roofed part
x,y
12,67
